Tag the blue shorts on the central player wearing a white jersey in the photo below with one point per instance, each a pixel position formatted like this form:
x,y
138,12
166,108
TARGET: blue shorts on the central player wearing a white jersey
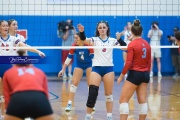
x,y
102,70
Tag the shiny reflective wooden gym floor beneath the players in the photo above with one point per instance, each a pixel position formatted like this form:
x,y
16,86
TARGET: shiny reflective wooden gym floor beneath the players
x,y
163,100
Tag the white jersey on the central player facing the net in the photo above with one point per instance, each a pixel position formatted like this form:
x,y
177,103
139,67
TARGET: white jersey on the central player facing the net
x,y
103,56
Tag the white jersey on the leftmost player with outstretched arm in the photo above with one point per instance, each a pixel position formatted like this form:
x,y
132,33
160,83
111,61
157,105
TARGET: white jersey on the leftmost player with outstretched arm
x,y
11,41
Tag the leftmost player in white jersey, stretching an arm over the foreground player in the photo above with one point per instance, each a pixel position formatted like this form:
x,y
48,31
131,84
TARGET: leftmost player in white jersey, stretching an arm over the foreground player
x,y
7,40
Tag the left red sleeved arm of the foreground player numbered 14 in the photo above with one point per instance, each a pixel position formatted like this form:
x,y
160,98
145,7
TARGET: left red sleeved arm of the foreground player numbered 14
x,y
6,90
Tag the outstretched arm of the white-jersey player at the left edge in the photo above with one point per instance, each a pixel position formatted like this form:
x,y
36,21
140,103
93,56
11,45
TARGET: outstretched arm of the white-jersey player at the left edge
x,y
29,48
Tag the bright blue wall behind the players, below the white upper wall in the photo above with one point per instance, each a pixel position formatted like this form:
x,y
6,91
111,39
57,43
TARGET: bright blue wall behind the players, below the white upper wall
x,y
42,31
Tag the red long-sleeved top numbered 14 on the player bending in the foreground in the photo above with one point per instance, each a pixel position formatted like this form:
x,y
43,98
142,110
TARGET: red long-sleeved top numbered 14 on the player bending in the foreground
x,y
24,78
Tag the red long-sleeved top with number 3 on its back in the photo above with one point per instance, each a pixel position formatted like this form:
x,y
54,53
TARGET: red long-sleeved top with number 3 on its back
x,y
138,56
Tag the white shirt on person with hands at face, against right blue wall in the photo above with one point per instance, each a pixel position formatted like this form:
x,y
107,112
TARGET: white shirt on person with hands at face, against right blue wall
x,y
155,41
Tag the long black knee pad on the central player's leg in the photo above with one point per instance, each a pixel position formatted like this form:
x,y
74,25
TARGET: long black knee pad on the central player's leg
x,y
93,93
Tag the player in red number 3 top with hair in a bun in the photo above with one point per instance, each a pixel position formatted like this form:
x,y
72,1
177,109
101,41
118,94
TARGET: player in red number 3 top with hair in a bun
x,y
138,63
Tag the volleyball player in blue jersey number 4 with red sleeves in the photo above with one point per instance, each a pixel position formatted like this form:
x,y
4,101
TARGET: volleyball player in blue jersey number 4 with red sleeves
x,y
83,62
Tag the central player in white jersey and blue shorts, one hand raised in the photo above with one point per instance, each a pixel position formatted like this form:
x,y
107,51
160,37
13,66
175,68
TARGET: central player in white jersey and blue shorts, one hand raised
x,y
102,67
